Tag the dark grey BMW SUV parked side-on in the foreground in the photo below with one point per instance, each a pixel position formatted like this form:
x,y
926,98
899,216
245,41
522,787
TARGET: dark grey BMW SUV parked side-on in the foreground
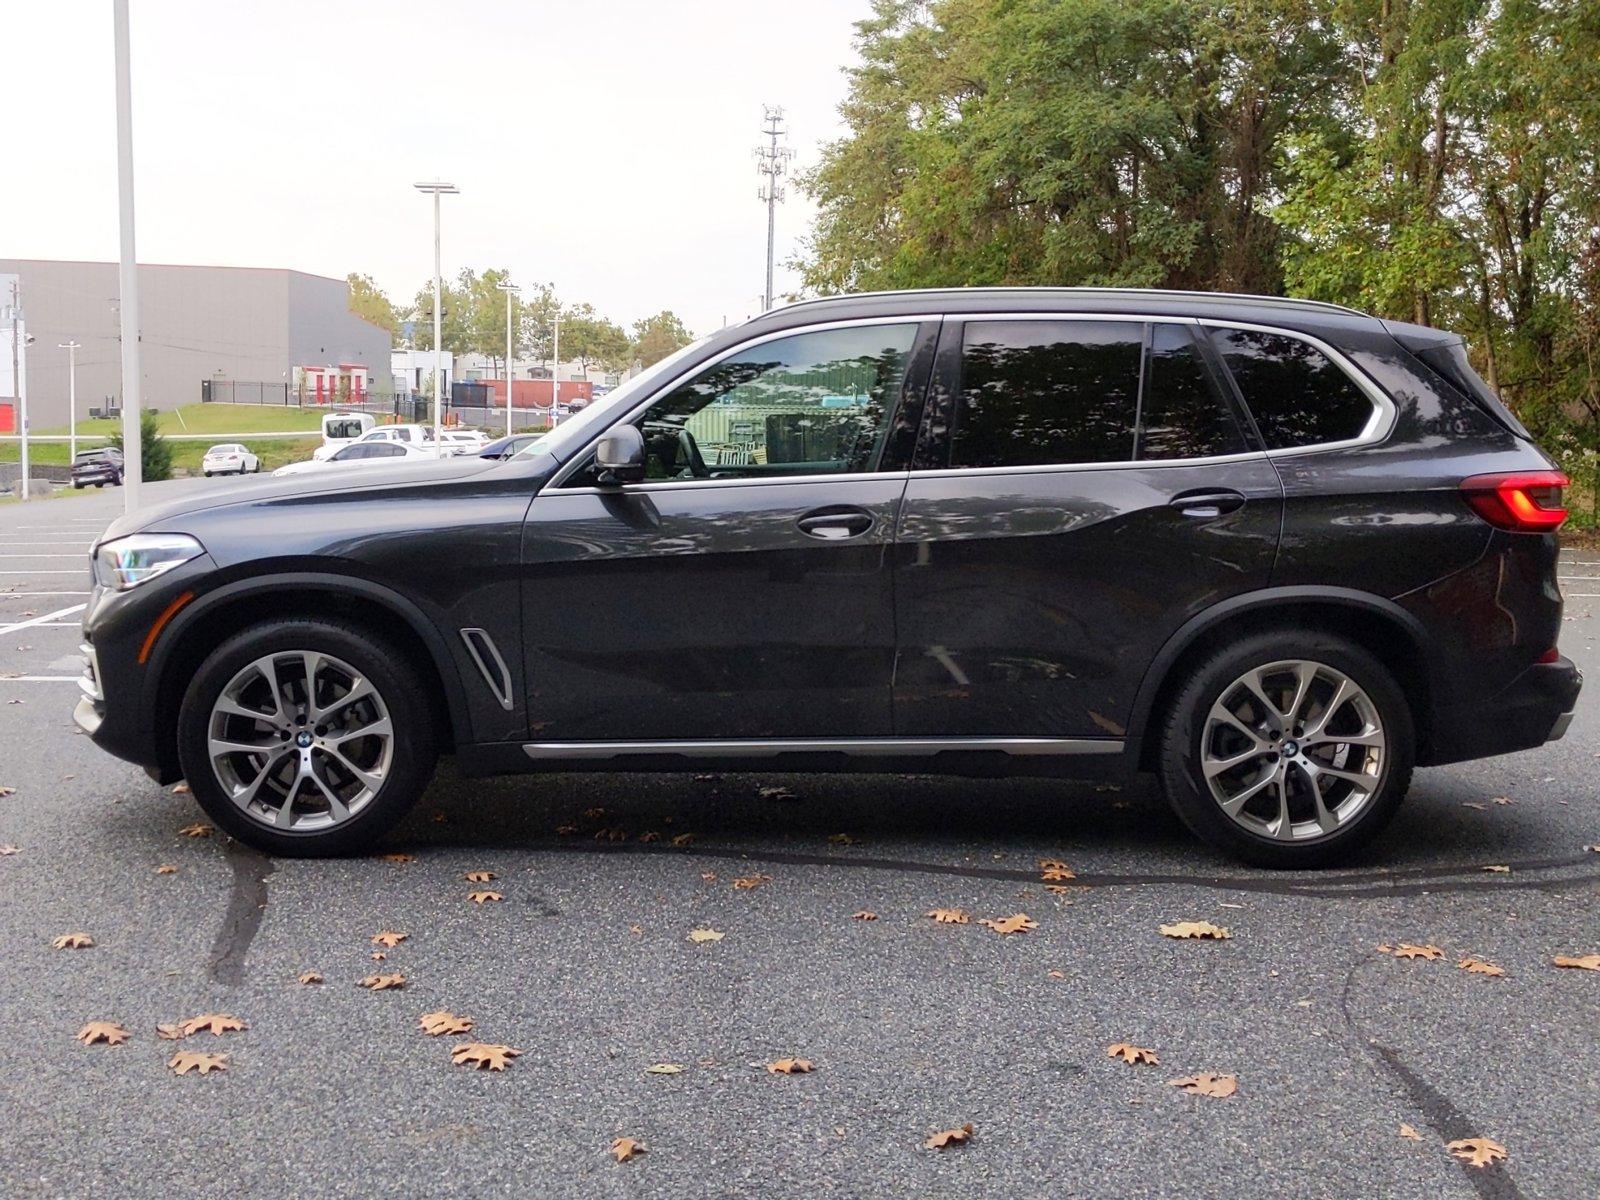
x,y
1278,553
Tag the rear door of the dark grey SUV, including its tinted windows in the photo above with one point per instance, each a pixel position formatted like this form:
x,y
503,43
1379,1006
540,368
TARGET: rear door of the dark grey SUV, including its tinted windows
x,y
1082,487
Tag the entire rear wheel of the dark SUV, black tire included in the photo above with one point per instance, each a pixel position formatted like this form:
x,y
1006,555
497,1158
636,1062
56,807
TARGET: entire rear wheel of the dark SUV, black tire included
x,y
1343,815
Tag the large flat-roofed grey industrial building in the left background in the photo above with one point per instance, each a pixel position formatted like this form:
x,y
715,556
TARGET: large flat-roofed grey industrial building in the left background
x,y
198,324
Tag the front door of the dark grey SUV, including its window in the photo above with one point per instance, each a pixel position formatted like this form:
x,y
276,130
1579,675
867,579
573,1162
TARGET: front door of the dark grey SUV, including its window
x,y
743,590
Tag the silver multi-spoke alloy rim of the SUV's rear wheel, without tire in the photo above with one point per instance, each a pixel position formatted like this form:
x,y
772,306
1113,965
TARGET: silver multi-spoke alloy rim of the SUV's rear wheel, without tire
x,y
1294,751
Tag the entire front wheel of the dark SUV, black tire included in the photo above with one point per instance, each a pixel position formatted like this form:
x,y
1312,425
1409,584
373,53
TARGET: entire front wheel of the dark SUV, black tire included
x,y
375,782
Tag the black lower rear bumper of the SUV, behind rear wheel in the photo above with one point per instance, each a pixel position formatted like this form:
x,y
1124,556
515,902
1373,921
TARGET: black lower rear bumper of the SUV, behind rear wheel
x,y
1534,710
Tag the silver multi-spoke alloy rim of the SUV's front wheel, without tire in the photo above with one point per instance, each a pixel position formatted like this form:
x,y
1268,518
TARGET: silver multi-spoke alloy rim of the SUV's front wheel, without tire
x,y
300,742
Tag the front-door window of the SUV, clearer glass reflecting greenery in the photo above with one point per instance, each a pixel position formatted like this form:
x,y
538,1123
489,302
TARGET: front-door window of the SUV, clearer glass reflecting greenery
x,y
812,404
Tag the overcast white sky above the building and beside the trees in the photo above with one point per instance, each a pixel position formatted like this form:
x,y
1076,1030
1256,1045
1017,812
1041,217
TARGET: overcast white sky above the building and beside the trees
x,y
604,145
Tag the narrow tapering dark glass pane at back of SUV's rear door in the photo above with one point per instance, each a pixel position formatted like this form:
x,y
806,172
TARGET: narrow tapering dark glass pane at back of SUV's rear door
x,y
1183,415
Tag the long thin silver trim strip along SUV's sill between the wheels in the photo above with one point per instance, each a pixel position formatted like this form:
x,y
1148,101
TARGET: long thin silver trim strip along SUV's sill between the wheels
x,y
863,748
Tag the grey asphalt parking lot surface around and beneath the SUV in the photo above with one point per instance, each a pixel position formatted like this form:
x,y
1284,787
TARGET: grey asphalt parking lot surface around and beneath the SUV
x,y
913,1026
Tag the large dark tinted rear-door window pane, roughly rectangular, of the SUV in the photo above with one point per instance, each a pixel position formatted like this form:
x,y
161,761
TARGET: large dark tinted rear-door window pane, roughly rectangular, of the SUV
x,y
1041,393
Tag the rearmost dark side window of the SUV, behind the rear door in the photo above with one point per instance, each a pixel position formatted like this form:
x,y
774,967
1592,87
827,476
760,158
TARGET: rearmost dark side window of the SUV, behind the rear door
x,y
1297,394
